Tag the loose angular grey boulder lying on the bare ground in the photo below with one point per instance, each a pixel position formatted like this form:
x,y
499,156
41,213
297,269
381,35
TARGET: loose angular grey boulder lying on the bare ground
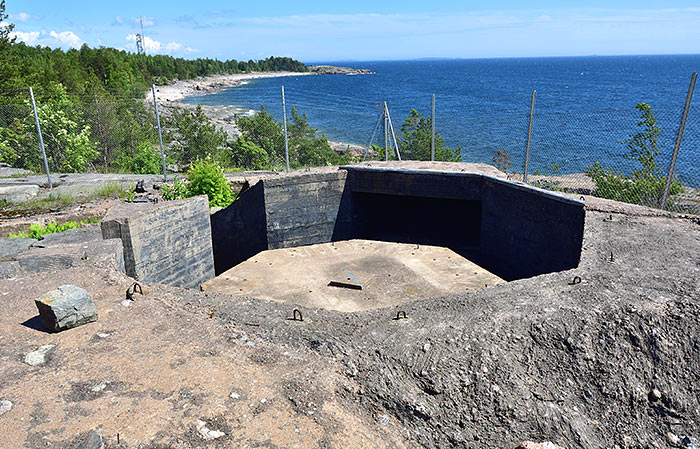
x,y
66,307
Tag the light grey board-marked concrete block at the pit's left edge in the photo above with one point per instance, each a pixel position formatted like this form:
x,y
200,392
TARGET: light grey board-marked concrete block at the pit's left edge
x,y
169,242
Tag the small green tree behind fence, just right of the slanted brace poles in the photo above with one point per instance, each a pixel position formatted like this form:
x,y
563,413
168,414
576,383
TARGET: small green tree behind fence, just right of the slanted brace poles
x,y
415,141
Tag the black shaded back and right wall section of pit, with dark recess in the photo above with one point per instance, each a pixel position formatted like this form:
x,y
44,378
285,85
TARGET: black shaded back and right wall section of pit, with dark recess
x,y
520,231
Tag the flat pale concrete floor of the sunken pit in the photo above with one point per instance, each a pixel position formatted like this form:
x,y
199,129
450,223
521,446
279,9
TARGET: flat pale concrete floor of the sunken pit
x,y
389,273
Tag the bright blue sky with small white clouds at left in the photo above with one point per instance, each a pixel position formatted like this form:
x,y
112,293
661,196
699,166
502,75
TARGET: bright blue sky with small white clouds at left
x,y
323,30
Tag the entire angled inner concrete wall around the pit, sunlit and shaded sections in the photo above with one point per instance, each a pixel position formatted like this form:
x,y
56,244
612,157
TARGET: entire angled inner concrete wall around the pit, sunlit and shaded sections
x,y
513,230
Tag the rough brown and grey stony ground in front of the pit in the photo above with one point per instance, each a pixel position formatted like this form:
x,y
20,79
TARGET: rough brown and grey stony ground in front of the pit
x,y
610,362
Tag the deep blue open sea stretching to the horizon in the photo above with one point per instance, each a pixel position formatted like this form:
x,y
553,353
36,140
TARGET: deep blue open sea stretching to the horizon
x,y
584,109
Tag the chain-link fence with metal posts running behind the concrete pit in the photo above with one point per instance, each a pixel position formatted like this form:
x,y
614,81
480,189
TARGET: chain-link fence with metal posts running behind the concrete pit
x,y
622,154
